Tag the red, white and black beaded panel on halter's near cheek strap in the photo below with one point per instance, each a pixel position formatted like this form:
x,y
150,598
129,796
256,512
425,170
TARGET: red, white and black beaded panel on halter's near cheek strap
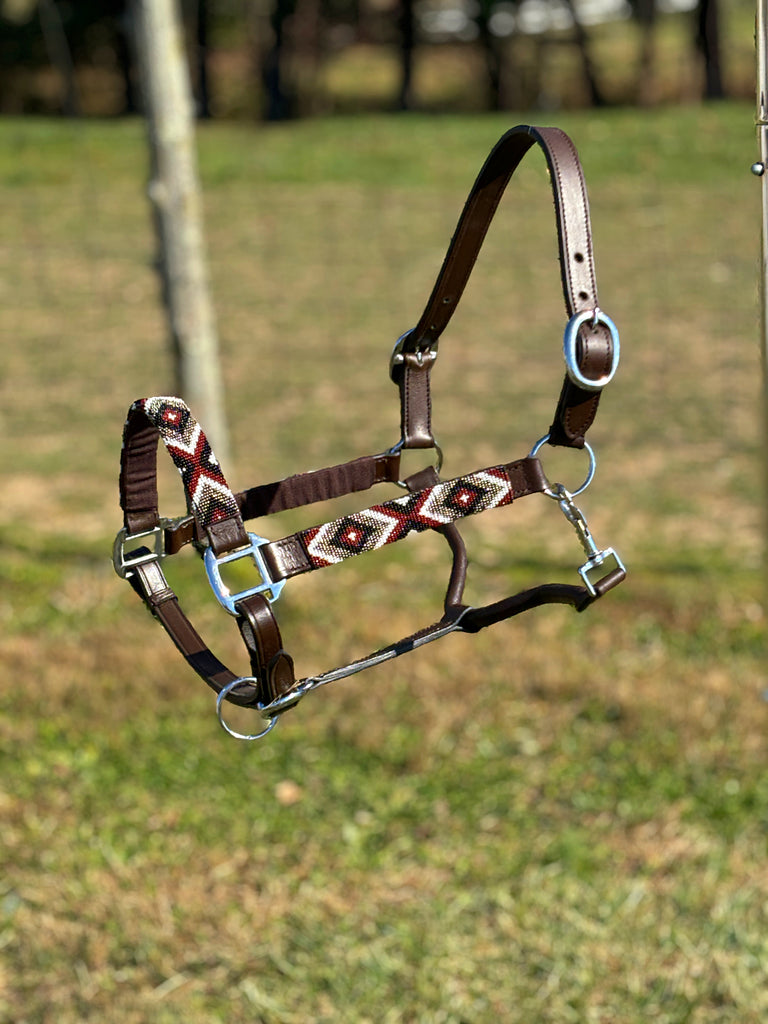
x,y
391,522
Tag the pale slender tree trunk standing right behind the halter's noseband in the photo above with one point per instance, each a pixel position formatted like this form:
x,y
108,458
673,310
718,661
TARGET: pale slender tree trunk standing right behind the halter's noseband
x,y
176,197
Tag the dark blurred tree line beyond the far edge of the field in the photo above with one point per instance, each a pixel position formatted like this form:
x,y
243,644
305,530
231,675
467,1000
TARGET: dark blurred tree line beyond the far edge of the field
x,y
257,60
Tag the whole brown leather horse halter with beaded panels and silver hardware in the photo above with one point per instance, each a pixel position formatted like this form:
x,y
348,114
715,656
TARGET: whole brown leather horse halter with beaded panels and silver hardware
x,y
216,524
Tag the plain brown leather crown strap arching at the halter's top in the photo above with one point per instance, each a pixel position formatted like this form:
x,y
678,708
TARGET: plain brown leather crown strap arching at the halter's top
x,y
577,408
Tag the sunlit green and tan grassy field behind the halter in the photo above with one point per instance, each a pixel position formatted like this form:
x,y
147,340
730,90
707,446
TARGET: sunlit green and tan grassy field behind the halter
x,y
562,820
